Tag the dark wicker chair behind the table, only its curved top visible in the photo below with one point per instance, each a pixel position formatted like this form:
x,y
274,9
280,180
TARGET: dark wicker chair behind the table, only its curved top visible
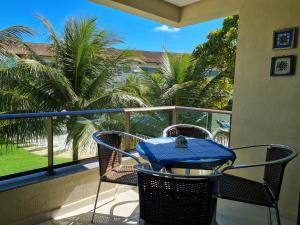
x,y
187,130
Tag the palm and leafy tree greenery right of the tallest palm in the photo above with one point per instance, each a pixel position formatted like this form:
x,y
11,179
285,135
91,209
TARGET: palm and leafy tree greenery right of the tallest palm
x,y
203,79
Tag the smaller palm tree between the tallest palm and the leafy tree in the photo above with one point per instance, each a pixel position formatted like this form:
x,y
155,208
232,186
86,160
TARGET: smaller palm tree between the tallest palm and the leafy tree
x,y
172,85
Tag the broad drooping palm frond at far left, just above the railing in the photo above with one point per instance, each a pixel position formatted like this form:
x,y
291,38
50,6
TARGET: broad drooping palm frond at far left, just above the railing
x,y
41,88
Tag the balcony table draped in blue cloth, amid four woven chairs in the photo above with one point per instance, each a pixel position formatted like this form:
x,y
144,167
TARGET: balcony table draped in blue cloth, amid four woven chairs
x,y
162,153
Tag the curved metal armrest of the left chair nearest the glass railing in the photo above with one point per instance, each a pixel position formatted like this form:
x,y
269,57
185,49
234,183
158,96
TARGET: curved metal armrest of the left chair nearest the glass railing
x,y
95,137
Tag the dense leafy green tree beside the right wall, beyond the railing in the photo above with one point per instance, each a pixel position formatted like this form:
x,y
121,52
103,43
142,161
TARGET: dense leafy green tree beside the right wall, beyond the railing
x,y
218,54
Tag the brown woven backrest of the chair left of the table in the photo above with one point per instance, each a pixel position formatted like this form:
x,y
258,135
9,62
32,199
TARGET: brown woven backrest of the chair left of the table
x,y
108,158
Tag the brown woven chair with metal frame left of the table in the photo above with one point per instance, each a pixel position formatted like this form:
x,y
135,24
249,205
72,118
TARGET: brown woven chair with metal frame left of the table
x,y
112,145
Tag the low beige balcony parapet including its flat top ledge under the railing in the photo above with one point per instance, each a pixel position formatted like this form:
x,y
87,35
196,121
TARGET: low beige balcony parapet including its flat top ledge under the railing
x,y
39,197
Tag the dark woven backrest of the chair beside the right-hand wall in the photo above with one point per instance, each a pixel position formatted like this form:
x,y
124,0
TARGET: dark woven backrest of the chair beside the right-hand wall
x,y
274,172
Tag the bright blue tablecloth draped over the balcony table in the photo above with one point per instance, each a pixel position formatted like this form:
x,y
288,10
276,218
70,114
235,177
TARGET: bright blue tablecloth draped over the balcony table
x,y
162,152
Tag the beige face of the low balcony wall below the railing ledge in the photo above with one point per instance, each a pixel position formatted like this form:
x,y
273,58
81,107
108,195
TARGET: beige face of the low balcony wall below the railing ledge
x,y
41,201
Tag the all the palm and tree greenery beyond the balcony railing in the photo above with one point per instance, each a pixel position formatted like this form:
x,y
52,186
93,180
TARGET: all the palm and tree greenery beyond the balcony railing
x,y
82,73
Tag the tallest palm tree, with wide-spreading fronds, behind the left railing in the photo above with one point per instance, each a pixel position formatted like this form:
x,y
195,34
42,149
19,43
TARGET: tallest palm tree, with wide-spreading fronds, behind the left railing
x,y
80,78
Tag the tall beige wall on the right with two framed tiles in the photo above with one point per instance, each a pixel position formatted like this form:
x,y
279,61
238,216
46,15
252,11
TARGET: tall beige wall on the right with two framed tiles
x,y
267,109
